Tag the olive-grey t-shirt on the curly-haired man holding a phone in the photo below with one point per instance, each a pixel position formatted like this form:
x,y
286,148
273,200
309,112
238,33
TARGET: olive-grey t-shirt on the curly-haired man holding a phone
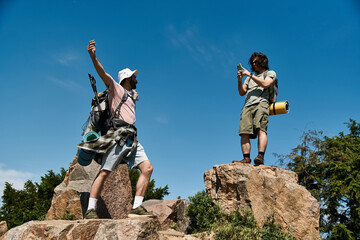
x,y
255,93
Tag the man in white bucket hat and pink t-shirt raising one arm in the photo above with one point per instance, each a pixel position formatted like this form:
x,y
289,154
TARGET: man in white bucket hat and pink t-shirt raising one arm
x,y
118,153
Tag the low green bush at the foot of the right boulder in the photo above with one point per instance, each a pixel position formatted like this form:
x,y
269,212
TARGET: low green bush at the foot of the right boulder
x,y
205,216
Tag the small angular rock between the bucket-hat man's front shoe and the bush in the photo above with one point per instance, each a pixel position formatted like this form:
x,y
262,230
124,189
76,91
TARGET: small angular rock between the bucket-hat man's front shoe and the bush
x,y
171,213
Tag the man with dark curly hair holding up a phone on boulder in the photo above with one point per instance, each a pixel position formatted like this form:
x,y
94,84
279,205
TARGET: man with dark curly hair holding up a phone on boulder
x,y
255,113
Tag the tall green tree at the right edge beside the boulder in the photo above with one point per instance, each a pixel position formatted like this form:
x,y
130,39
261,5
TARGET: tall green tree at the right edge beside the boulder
x,y
329,167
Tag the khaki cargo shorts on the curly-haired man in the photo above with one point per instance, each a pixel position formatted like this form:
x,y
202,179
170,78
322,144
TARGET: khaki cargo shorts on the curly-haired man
x,y
254,117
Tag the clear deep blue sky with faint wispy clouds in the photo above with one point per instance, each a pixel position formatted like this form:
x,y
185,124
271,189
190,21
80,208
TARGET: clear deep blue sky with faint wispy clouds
x,y
186,53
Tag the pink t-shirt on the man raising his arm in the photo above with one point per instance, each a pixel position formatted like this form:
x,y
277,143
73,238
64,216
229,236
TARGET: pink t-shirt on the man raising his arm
x,y
127,110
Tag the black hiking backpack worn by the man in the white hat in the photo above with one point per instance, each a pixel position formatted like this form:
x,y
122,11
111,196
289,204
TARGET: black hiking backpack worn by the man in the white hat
x,y
100,115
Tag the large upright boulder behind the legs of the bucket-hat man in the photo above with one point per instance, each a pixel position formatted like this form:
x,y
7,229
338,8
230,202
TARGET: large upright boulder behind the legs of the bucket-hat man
x,y
72,195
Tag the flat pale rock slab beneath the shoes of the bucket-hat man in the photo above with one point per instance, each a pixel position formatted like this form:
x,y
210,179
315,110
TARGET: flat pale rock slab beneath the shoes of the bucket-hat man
x,y
132,228
